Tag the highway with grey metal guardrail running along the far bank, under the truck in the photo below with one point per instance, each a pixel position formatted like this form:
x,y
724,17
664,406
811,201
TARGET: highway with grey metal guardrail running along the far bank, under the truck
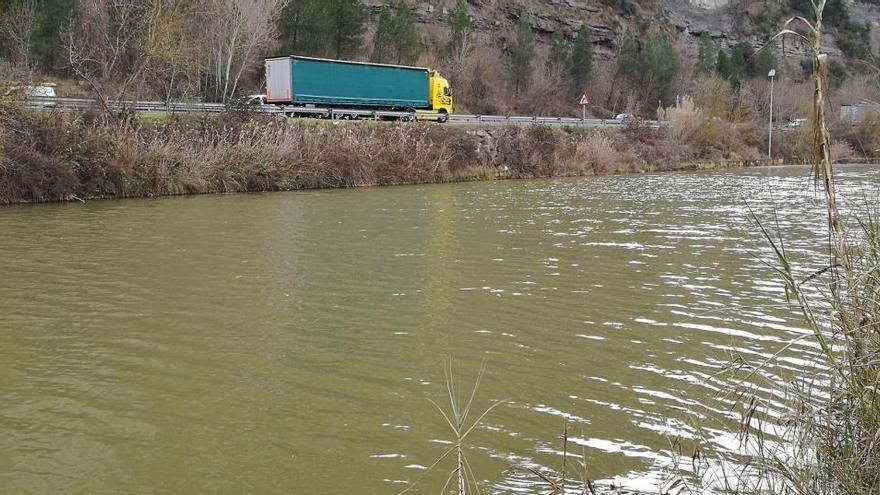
x,y
147,107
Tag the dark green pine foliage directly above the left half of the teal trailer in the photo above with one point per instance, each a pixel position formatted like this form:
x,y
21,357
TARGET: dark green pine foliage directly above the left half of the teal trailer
x,y
322,27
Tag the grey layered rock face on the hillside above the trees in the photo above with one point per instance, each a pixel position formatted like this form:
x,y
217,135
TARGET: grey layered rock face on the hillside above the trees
x,y
686,20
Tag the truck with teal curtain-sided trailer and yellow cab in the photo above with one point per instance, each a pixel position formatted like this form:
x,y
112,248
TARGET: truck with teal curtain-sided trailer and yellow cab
x,y
316,86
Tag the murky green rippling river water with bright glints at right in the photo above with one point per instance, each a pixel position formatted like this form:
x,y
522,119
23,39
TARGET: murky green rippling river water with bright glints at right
x,y
289,343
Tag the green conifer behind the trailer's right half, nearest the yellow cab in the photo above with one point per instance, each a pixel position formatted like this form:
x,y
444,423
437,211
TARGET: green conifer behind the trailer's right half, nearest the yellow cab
x,y
397,36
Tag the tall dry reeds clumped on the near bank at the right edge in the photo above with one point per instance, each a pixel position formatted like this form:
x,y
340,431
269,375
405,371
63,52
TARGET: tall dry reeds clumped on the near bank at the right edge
x,y
826,441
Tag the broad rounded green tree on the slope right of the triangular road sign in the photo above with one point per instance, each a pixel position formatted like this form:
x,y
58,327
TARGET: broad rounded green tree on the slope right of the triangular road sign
x,y
651,65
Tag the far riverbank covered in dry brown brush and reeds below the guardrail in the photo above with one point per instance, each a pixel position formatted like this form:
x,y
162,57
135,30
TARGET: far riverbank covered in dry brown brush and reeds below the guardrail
x,y
78,156
